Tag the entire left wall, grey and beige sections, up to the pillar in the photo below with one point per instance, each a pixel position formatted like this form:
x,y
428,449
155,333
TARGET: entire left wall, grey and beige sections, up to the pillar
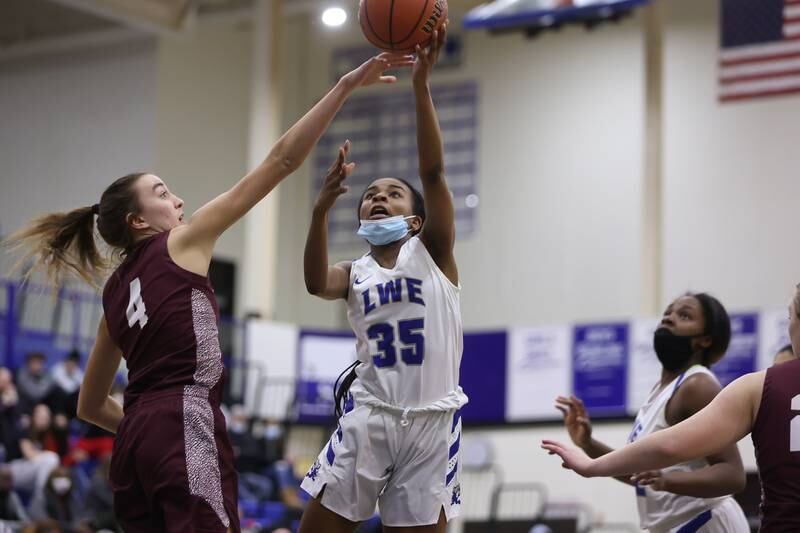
x,y
179,107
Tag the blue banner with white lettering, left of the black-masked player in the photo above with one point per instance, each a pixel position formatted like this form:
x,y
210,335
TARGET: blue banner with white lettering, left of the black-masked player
x,y
600,367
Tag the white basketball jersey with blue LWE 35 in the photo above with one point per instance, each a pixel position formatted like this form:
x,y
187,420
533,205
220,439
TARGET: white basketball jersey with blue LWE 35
x,y
407,321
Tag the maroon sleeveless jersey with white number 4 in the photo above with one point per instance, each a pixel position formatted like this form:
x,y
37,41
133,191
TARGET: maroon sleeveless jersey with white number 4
x,y
164,319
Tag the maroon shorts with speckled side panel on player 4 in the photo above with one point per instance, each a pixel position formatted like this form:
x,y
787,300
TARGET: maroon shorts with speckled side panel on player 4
x,y
172,466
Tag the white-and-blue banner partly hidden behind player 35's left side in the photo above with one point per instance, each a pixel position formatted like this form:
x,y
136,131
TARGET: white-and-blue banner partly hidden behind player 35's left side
x,y
322,356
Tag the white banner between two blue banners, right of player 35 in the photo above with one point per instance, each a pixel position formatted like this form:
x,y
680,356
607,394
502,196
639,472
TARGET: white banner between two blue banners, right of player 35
x,y
539,356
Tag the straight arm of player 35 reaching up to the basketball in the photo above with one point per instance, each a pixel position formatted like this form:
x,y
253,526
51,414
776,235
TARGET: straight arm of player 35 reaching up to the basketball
x,y
438,234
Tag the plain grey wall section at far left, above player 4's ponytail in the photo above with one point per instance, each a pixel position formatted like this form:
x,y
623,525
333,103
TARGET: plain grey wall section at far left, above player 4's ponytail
x,y
72,123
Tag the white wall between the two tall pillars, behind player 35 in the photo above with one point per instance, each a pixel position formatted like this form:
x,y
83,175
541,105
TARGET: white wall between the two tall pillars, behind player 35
x,y
559,175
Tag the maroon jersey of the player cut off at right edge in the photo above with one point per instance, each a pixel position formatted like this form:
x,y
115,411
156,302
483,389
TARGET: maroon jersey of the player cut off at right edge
x,y
776,436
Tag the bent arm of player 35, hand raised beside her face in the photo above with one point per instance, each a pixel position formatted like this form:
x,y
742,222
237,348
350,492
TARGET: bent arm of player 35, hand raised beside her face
x,y
327,281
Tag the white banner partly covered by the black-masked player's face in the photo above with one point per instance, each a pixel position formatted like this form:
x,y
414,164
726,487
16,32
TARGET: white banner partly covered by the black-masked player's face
x,y
643,364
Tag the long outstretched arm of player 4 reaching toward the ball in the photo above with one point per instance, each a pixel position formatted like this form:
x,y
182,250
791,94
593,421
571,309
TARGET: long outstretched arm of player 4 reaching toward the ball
x,y
208,223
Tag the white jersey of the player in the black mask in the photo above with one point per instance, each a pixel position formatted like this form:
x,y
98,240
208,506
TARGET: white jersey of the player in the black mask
x,y
660,510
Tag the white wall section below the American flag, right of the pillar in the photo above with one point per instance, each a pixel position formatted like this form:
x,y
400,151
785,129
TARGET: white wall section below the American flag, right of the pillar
x,y
730,175
